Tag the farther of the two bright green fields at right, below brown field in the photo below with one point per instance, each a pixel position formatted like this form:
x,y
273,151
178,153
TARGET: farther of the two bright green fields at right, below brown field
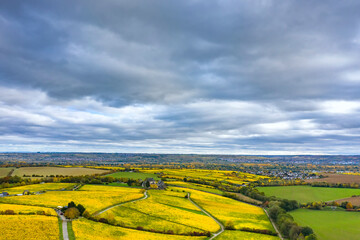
x,y
304,194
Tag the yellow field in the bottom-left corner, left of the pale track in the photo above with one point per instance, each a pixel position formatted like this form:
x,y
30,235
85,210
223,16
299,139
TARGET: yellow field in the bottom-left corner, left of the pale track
x,y
29,227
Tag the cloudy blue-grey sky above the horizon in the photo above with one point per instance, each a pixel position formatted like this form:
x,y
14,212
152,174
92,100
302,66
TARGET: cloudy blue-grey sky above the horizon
x,y
226,77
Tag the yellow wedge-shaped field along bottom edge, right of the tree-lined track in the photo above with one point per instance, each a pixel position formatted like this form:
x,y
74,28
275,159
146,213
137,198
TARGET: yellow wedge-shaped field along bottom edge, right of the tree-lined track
x,y
85,230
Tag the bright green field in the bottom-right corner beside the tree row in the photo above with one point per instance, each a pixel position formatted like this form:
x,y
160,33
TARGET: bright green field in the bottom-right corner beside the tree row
x,y
330,225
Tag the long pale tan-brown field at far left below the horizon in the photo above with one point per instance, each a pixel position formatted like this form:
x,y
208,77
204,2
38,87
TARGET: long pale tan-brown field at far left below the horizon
x,y
47,171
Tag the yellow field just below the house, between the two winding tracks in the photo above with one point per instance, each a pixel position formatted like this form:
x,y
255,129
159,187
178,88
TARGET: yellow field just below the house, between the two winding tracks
x,y
163,211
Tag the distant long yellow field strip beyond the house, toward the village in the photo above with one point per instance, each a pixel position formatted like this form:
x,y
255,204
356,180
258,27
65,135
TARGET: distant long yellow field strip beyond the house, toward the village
x,y
212,175
